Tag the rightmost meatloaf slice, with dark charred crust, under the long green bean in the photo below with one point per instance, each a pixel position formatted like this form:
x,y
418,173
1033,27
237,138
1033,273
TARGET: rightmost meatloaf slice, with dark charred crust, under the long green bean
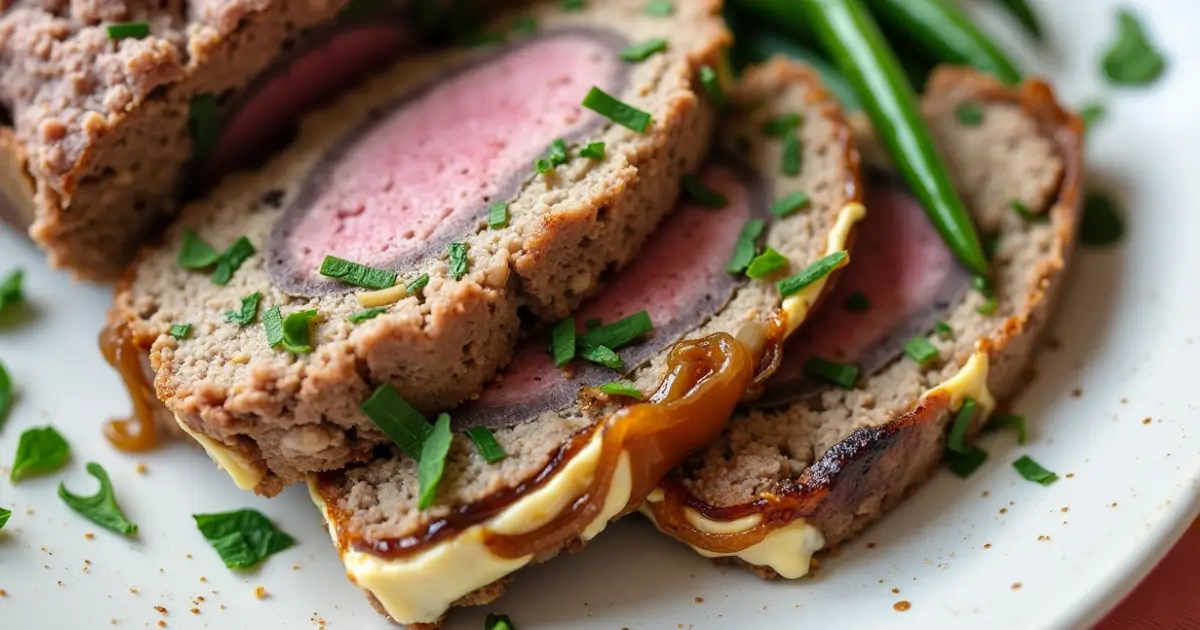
x,y
817,463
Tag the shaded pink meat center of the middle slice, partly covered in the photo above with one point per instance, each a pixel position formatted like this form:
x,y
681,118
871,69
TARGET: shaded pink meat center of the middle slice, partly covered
x,y
680,266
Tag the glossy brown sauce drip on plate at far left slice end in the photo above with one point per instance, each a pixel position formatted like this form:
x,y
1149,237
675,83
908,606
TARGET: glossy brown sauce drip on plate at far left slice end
x,y
139,433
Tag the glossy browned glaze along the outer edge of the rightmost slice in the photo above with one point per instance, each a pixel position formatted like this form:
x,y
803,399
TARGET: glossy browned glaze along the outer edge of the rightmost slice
x,y
874,469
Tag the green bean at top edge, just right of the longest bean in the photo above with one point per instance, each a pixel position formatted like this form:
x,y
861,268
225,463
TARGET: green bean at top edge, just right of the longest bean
x,y
949,34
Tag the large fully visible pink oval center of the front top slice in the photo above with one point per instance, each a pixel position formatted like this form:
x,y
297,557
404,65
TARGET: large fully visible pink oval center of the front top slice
x,y
451,151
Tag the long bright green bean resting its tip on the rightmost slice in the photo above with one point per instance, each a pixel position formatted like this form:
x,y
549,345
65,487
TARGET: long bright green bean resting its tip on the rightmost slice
x,y
859,49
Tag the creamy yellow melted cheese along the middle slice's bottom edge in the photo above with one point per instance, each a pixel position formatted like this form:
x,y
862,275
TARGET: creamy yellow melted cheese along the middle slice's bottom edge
x,y
421,589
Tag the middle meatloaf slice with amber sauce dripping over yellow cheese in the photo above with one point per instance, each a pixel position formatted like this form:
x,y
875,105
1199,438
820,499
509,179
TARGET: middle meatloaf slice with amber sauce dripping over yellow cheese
x,y
579,452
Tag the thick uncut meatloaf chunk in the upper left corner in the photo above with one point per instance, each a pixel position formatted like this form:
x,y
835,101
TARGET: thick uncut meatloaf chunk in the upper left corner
x,y
100,130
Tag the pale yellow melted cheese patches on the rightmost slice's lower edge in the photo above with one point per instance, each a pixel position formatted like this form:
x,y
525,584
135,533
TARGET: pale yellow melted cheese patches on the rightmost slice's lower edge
x,y
789,550
